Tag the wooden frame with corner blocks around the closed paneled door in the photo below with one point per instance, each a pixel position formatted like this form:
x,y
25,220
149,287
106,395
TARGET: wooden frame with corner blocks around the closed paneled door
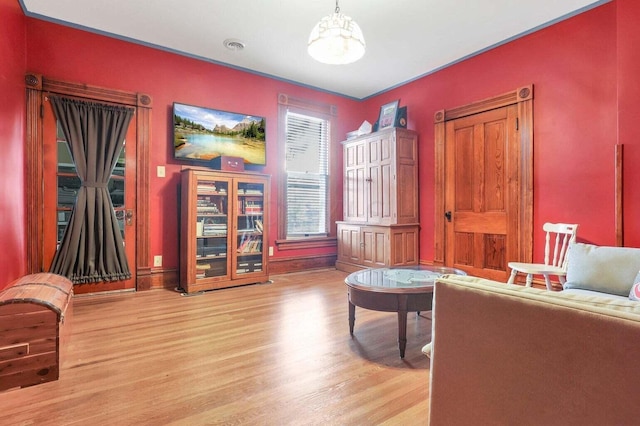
x,y
523,97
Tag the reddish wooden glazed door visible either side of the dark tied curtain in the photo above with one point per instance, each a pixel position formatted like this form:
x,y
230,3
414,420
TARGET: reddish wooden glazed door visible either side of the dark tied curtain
x,y
60,183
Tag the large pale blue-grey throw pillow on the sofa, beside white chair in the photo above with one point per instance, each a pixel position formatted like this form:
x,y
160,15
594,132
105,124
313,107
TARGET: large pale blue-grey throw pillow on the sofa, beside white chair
x,y
602,268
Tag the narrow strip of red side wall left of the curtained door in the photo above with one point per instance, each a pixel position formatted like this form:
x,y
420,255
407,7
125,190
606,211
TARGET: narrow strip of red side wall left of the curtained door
x,y
12,124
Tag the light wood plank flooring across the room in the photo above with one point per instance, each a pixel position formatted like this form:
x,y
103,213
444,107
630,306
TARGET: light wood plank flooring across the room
x,y
265,354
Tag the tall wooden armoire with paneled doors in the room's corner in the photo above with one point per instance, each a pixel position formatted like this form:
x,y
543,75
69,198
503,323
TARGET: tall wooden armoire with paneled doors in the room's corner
x,y
381,223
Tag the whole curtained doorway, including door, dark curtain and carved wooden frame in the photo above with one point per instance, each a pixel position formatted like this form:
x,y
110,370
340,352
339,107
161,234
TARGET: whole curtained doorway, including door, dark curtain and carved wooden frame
x,y
90,194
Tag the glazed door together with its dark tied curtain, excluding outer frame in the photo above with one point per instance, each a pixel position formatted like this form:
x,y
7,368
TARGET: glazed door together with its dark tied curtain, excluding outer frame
x,y
88,202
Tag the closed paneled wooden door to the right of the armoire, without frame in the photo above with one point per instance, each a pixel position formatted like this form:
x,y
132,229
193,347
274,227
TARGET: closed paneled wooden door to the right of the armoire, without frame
x,y
478,200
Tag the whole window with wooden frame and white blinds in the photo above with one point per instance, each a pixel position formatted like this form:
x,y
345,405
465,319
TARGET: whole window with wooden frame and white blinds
x,y
306,206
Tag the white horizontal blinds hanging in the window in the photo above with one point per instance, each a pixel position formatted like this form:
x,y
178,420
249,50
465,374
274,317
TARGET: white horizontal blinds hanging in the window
x,y
307,171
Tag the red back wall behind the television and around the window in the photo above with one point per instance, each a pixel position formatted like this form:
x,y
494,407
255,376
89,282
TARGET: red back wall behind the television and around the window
x,y
64,53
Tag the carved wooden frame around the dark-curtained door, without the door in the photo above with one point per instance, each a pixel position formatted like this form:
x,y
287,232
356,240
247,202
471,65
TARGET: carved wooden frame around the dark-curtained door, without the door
x,y
36,87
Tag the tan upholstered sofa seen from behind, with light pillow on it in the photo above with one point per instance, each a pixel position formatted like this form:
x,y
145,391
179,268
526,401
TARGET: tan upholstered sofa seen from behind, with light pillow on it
x,y
511,355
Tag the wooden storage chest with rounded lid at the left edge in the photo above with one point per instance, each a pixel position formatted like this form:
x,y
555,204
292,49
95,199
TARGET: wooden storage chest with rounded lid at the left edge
x,y
34,327
